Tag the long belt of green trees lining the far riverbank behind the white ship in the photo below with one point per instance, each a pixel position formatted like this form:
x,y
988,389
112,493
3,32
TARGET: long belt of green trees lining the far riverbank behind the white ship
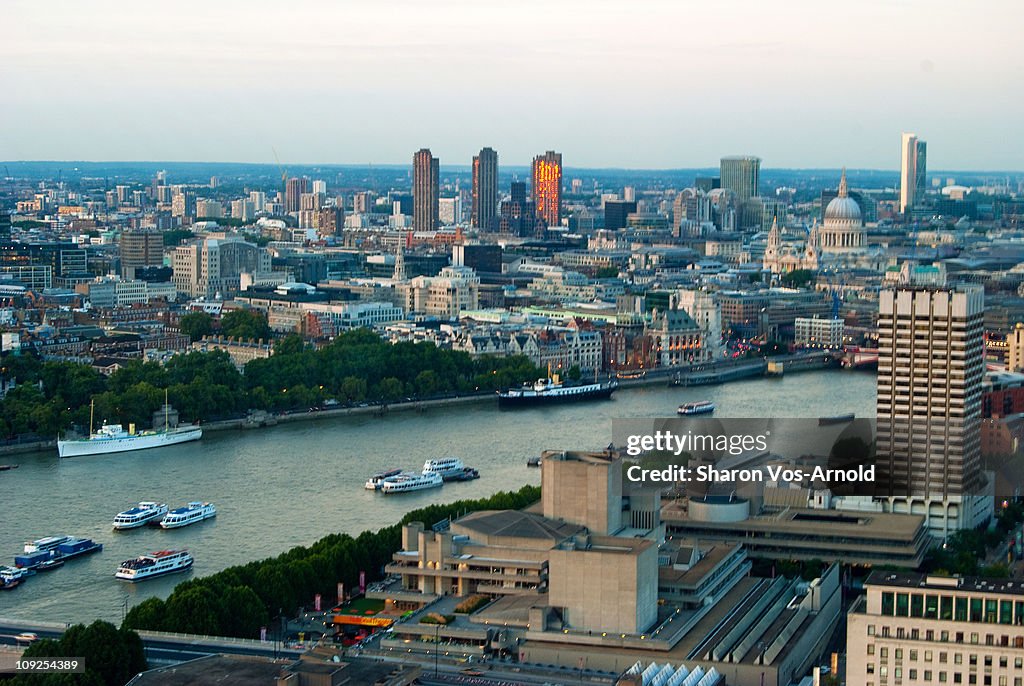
x,y
358,367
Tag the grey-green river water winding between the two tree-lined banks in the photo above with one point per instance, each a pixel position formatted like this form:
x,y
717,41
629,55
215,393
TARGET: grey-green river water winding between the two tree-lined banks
x,y
291,485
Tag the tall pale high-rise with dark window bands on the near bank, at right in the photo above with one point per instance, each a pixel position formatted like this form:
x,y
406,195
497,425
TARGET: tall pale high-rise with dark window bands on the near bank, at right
x,y
931,364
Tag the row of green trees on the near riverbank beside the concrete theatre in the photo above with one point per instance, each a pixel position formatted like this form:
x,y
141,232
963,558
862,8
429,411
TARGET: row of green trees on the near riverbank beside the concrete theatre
x,y
240,601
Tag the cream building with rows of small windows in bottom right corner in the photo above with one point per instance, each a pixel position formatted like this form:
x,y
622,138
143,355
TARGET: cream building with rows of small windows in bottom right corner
x,y
914,629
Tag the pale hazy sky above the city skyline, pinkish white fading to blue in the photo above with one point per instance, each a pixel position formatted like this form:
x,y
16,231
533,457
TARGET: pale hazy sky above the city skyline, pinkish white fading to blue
x,y
680,83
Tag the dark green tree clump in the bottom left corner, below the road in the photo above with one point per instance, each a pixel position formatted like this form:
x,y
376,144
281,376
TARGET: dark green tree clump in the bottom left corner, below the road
x,y
112,656
